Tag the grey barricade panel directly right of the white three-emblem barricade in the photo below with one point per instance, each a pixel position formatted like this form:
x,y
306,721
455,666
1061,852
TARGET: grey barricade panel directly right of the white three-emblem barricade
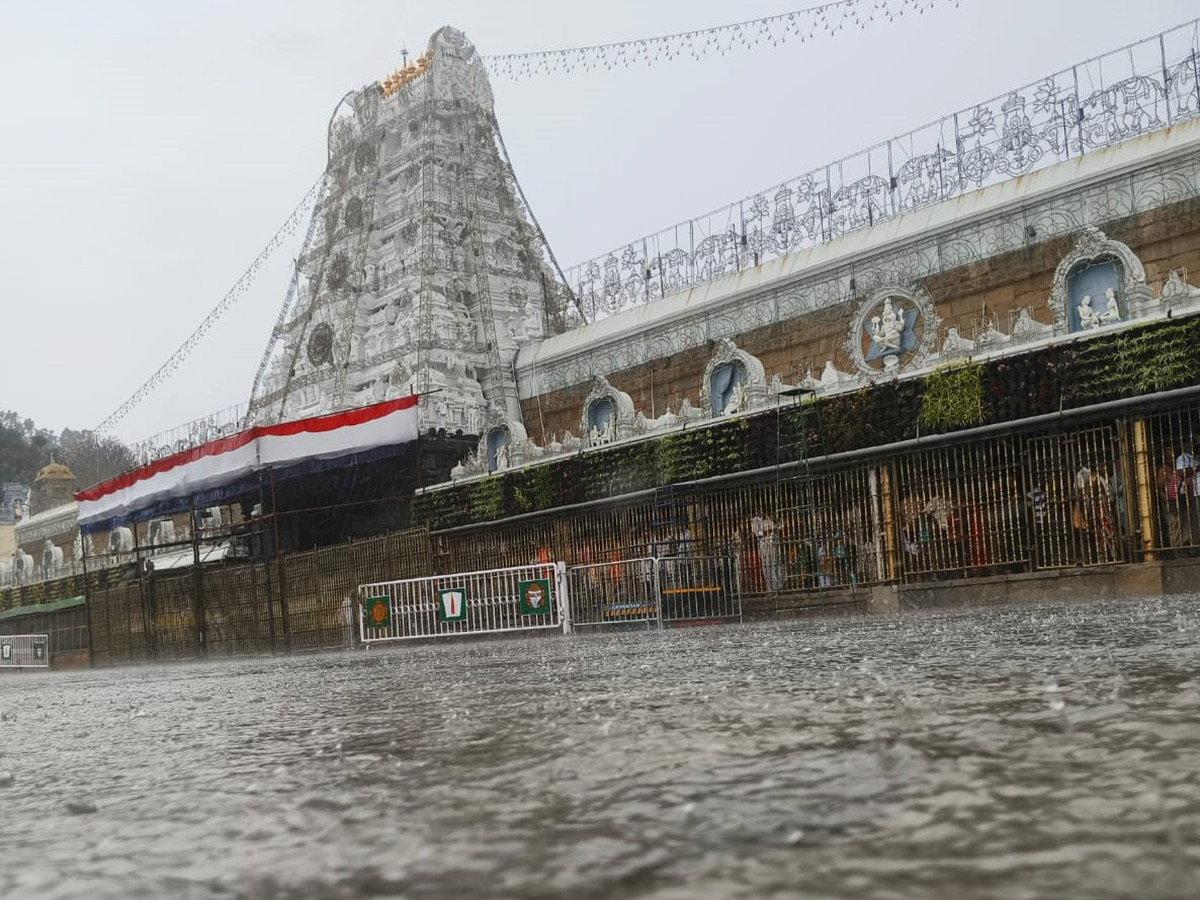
x,y
625,592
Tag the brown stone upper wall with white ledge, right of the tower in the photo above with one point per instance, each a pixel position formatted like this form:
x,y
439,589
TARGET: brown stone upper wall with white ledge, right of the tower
x,y
981,261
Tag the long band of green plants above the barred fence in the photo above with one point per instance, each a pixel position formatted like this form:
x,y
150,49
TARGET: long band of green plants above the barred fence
x,y
1135,362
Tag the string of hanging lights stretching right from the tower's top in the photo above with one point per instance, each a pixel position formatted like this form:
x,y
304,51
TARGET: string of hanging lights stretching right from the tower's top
x,y
800,25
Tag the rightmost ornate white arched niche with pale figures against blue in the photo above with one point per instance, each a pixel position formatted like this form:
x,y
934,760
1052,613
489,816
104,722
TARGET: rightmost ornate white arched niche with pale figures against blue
x,y
1084,278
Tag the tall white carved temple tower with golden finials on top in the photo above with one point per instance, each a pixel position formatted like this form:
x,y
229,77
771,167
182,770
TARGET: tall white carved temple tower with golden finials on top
x,y
423,269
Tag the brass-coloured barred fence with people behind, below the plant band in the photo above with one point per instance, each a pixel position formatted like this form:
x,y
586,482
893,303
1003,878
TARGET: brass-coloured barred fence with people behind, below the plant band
x,y
1109,491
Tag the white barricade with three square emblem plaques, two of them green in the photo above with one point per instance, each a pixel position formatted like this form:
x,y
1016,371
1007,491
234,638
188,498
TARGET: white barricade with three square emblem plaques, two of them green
x,y
527,598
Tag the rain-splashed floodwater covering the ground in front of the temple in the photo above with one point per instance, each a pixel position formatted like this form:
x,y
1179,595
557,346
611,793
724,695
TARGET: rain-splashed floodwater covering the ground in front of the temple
x,y
1007,753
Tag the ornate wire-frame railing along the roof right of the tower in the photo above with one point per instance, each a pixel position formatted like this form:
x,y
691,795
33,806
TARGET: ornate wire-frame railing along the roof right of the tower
x,y
1120,95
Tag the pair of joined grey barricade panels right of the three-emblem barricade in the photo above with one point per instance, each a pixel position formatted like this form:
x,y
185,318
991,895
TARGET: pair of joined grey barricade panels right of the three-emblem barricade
x,y
656,592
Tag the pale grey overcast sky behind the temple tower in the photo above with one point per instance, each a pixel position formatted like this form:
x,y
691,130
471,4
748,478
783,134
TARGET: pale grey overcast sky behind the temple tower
x,y
151,149
